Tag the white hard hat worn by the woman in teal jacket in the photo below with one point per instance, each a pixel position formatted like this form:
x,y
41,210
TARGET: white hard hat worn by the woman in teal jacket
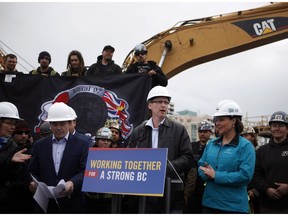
x,y
228,108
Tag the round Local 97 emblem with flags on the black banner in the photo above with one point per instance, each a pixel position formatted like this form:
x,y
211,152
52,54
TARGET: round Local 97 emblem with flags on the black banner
x,y
109,106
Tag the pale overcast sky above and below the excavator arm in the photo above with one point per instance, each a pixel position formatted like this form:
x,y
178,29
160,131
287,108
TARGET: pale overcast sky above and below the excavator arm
x,y
256,79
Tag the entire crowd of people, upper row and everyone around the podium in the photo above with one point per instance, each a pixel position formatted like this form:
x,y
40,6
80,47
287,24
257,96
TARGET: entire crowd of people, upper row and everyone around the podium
x,y
224,172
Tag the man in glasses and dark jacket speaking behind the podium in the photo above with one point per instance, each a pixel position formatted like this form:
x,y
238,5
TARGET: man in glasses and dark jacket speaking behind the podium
x,y
162,132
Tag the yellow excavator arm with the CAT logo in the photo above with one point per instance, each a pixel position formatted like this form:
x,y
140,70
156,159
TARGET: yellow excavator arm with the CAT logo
x,y
193,42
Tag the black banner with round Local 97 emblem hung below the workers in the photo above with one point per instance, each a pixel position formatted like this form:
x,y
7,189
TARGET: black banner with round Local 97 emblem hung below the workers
x,y
95,99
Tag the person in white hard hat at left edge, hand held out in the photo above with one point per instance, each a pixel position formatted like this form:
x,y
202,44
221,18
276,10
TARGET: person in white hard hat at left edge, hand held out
x,y
9,160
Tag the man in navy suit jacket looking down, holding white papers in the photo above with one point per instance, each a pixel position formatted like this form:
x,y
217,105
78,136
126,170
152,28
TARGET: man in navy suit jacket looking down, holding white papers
x,y
60,156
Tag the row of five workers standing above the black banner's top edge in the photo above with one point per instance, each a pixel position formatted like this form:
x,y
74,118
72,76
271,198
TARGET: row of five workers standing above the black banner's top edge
x,y
105,65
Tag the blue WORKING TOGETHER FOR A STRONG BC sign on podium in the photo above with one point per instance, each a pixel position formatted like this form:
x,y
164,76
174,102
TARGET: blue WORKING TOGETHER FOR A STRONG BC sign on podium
x,y
126,171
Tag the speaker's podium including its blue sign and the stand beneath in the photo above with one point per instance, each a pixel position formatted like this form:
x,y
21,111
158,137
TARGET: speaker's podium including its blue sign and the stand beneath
x,y
136,172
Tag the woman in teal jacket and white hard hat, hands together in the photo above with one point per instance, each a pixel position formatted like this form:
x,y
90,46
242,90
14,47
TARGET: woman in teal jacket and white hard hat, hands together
x,y
227,163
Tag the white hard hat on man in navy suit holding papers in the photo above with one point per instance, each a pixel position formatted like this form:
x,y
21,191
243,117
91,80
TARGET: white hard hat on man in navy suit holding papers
x,y
60,111
